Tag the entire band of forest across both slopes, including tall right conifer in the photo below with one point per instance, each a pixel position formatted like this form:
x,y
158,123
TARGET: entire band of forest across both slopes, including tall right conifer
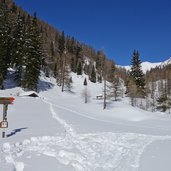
x,y
29,46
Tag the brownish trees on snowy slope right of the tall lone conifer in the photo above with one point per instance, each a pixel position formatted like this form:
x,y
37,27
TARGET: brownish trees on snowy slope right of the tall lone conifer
x,y
159,87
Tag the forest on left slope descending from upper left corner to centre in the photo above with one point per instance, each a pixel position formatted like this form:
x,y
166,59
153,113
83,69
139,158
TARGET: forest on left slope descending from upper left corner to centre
x,y
29,45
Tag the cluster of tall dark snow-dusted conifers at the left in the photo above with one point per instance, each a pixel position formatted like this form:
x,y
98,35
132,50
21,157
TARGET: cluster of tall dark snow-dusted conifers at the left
x,y
20,47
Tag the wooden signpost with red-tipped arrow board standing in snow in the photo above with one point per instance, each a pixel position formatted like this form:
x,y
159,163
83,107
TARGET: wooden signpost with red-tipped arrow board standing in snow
x,y
5,101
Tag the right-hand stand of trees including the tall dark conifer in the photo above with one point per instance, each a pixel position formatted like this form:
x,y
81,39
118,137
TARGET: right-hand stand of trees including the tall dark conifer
x,y
150,90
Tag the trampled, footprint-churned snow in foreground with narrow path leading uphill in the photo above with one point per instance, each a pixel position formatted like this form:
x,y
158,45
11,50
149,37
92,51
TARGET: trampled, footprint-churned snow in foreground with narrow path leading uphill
x,y
84,152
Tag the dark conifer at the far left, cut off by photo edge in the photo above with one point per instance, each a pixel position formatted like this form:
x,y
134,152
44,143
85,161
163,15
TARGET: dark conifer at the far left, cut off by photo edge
x,y
4,41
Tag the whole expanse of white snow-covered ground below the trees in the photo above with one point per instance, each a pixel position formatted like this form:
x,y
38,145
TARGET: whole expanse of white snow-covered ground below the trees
x,y
58,131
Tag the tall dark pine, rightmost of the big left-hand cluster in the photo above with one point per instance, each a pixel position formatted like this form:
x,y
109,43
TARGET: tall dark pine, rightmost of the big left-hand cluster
x,y
33,55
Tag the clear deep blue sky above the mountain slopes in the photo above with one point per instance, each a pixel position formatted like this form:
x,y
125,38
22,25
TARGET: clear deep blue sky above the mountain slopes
x,y
116,26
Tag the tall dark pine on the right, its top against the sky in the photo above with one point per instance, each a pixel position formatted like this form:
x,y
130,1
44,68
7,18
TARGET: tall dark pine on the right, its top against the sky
x,y
137,75
